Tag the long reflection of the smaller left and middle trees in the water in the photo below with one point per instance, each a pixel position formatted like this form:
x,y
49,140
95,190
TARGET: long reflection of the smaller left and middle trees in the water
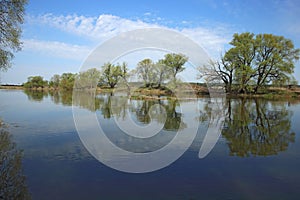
x,y
117,106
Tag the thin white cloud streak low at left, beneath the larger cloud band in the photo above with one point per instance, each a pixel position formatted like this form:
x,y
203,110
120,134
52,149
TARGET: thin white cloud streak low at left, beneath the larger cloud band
x,y
56,49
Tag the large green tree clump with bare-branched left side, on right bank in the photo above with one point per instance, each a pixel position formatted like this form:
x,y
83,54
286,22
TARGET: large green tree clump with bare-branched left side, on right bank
x,y
253,62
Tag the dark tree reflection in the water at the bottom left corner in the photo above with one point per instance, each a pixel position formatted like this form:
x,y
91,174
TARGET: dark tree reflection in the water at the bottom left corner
x,y
12,181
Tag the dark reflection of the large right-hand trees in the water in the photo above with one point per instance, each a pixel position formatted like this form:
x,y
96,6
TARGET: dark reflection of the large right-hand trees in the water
x,y
257,128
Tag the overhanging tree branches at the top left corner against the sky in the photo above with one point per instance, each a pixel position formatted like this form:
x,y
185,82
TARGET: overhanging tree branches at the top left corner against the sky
x,y
11,17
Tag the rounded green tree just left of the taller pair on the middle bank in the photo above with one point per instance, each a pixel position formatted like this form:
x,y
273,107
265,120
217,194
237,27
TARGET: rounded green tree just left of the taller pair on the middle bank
x,y
111,74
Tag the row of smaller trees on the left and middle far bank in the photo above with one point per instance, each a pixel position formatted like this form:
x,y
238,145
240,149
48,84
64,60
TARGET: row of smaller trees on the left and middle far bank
x,y
152,74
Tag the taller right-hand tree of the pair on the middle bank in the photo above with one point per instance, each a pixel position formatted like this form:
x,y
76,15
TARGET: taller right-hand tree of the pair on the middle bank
x,y
175,62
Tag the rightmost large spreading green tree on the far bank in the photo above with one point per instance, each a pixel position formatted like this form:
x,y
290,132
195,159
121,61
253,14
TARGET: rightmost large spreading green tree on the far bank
x,y
275,57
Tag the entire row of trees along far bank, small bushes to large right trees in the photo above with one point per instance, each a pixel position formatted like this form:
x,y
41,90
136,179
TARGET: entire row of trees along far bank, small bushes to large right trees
x,y
252,63
